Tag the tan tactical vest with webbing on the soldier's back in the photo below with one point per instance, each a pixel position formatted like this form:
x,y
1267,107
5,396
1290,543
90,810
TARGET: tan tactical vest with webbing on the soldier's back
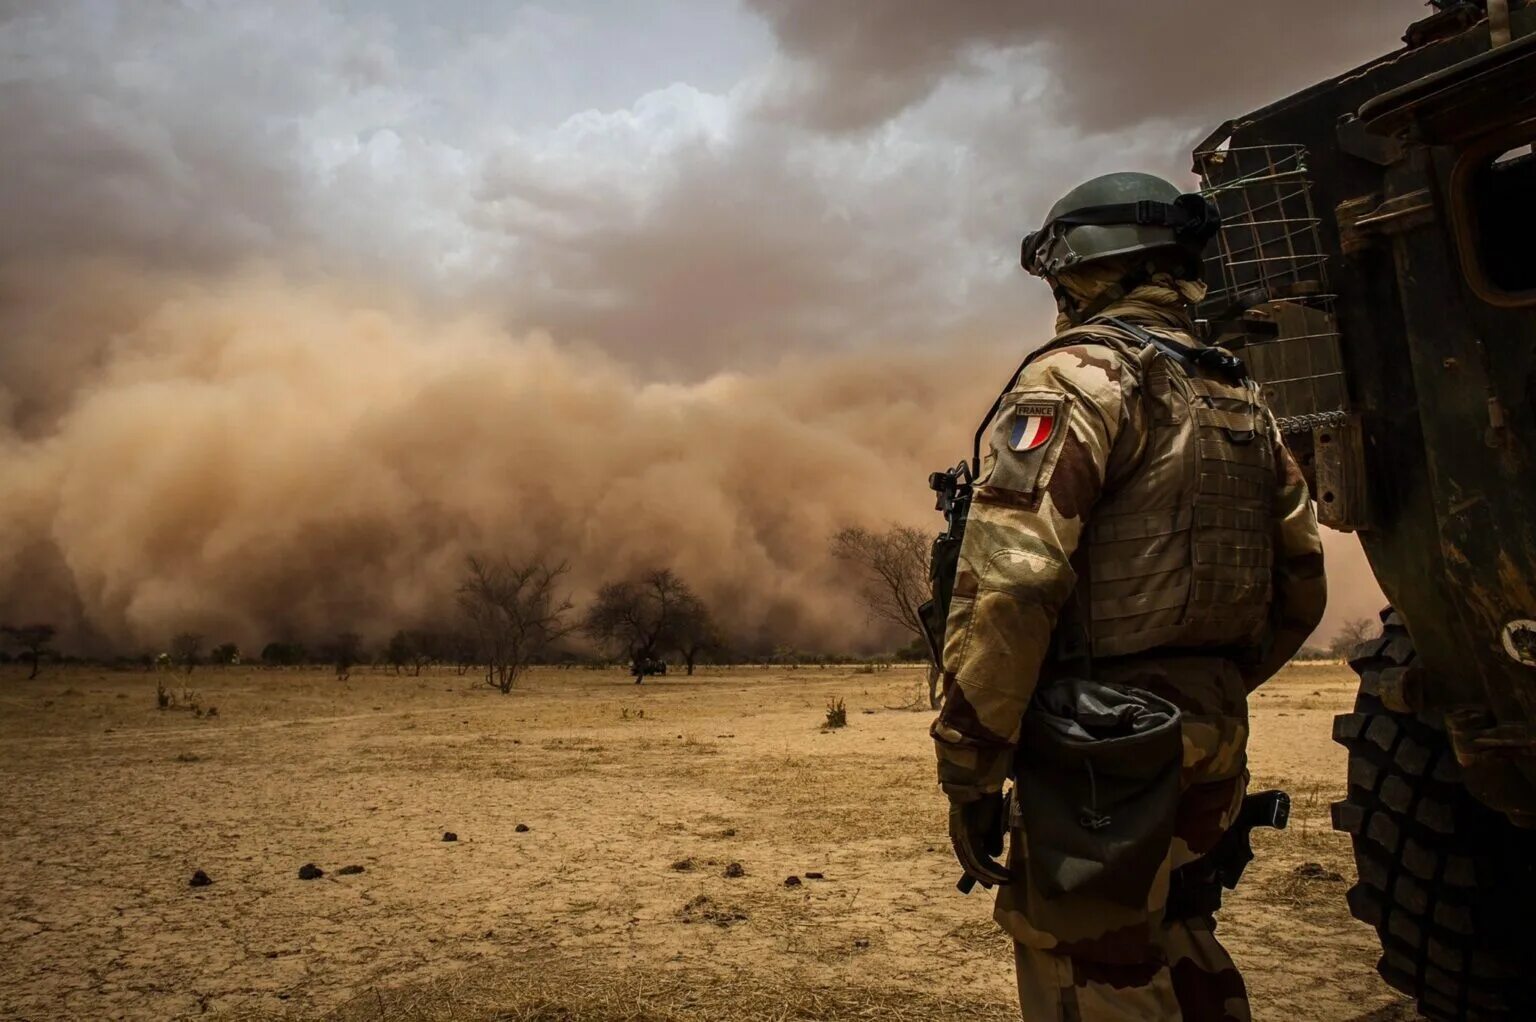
x,y
1179,552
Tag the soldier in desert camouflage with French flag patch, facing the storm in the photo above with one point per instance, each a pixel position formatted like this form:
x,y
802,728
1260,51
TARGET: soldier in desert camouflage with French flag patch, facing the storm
x,y
1139,554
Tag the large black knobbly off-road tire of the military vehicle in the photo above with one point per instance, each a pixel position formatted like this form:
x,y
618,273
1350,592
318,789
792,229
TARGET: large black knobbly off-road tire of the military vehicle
x,y
1449,884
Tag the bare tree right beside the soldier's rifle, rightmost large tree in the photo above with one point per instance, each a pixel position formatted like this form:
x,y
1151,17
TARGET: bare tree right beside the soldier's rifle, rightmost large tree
x,y
893,579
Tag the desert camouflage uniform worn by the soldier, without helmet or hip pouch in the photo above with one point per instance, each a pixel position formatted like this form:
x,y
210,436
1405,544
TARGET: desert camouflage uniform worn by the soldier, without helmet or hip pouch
x,y
1196,546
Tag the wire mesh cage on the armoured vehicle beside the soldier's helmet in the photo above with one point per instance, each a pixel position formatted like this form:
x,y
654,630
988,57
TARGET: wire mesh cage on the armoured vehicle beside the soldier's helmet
x,y
1270,274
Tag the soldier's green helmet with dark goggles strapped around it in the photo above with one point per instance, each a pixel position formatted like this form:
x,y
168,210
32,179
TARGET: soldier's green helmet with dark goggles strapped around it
x,y
1124,214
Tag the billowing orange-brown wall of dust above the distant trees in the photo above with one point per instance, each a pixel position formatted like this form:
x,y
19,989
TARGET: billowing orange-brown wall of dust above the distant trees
x,y
248,457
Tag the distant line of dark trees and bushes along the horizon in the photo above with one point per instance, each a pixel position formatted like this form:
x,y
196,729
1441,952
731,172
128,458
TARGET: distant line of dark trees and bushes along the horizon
x,y
508,616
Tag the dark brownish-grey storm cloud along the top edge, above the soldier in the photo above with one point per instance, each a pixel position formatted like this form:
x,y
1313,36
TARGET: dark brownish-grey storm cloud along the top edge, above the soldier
x,y
1116,62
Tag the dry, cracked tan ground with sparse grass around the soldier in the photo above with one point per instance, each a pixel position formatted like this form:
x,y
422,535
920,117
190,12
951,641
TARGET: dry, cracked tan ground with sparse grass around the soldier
x,y
614,904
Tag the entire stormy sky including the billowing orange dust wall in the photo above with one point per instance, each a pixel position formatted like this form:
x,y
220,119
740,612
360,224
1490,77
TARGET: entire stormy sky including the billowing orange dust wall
x,y
294,311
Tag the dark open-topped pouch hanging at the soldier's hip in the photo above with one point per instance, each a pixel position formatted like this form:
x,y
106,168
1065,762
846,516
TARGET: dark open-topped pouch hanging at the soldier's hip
x,y
1097,789
